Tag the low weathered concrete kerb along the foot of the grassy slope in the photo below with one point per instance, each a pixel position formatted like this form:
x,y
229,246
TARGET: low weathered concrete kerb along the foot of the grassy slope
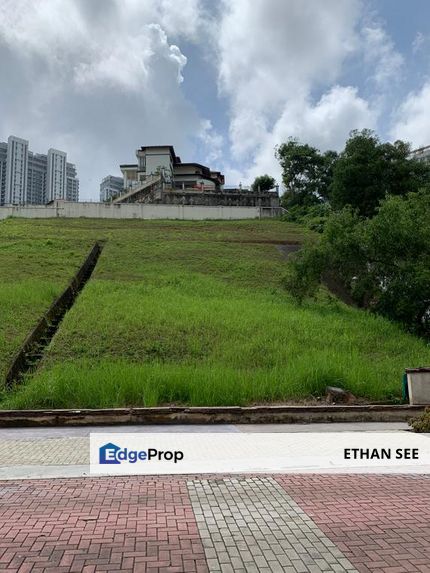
x,y
208,415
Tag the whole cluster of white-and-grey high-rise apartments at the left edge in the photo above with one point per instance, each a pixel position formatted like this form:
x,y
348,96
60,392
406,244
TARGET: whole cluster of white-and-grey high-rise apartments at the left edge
x,y
35,178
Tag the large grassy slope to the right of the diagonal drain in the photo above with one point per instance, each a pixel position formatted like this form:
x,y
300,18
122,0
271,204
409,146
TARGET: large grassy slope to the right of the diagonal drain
x,y
193,312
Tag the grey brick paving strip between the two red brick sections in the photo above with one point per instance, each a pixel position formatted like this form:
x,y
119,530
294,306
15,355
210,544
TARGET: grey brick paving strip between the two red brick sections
x,y
270,532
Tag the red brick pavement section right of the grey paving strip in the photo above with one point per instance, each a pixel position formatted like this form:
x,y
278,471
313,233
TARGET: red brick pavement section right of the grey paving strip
x,y
381,523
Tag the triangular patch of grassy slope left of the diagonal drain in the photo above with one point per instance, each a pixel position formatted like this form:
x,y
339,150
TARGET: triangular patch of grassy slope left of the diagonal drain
x,y
33,271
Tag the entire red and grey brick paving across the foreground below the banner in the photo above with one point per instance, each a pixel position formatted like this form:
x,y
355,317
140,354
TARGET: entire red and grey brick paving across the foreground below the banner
x,y
295,523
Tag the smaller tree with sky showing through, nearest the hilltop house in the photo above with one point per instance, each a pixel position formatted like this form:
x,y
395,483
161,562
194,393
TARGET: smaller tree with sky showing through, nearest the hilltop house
x,y
306,173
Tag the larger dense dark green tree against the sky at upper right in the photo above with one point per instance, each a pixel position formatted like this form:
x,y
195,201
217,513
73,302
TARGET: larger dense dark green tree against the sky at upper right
x,y
368,170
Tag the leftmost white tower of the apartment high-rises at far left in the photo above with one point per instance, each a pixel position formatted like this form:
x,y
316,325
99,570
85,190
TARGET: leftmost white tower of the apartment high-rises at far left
x,y
16,171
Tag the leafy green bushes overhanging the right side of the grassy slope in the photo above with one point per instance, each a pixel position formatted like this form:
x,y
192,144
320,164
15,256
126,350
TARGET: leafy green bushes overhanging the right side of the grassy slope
x,y
383,262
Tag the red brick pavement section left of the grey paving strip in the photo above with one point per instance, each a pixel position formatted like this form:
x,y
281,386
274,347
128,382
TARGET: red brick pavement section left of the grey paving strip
x,y
98,524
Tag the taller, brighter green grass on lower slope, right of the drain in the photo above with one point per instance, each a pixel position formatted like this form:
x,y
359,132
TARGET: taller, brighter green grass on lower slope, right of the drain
x,y
210,344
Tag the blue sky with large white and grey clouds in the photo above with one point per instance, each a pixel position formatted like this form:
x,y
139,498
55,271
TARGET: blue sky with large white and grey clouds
x,y
224,81
